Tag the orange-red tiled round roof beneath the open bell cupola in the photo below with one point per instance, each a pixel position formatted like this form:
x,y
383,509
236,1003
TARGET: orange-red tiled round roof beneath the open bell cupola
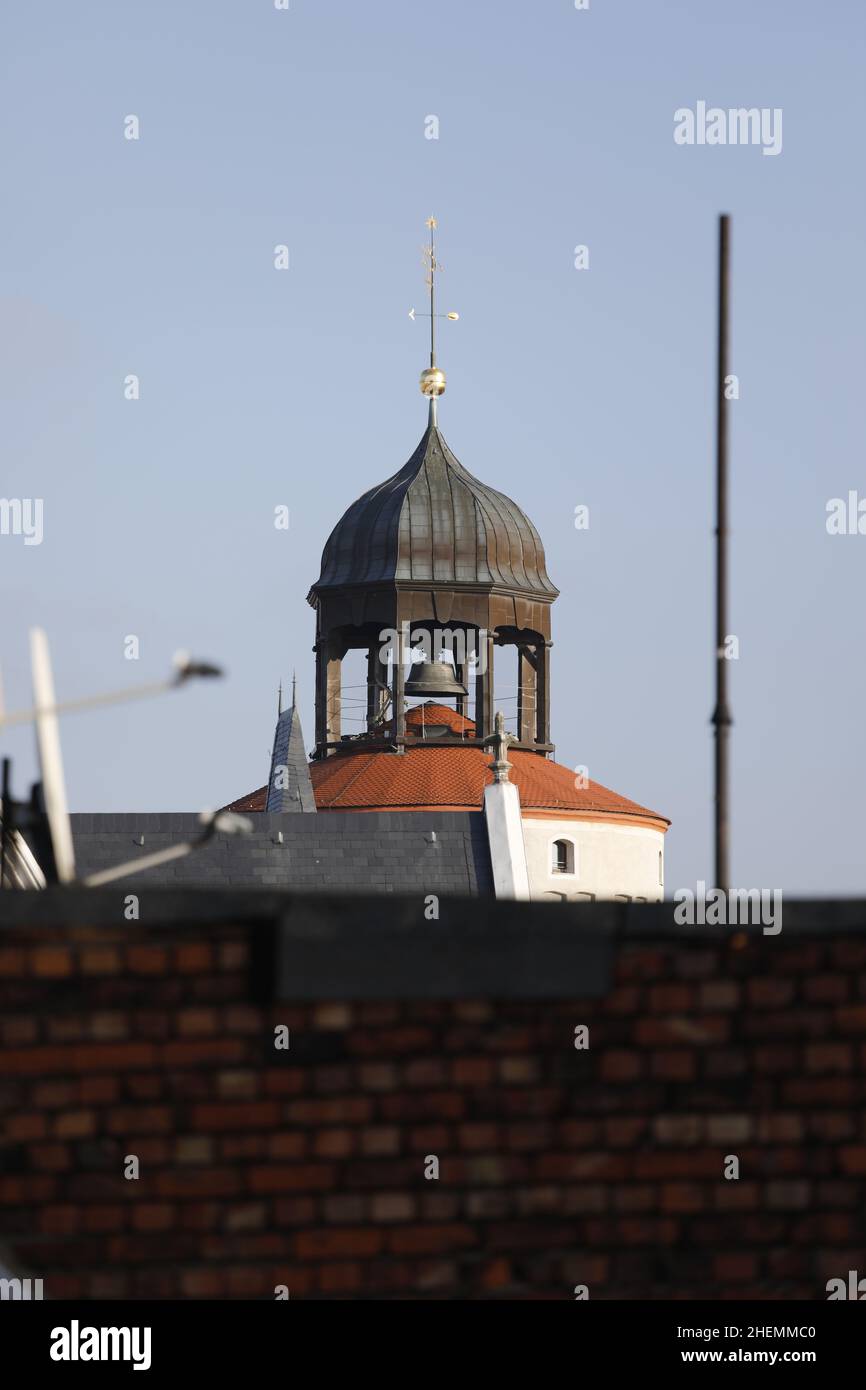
x,y
427,778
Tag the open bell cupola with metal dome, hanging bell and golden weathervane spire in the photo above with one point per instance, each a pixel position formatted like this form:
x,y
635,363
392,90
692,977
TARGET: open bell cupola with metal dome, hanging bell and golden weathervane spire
x,y
434,562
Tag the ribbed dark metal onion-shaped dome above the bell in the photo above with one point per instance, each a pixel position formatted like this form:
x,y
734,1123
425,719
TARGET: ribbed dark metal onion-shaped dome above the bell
x,y
434,522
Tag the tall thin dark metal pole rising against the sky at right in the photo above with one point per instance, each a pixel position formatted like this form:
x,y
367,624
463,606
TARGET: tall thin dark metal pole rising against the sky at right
x,y
722,715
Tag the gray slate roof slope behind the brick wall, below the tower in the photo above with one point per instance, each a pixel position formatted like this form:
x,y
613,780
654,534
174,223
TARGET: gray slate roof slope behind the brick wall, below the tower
x,y
390,853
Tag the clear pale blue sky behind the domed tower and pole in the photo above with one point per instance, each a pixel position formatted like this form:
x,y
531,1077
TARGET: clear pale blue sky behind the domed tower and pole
x,y
566,387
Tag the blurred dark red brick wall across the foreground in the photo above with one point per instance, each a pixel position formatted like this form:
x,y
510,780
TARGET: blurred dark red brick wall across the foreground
x,y
307,1168
